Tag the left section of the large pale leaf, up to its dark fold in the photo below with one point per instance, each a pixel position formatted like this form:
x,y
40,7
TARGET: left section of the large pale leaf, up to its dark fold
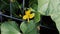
x,y
43,6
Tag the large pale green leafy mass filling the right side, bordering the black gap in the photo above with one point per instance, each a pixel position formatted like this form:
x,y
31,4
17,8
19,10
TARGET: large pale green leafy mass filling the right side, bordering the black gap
x,y
52,9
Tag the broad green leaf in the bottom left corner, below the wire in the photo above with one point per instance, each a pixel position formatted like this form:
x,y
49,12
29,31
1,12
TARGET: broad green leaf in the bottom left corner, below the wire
x,y
9,28
